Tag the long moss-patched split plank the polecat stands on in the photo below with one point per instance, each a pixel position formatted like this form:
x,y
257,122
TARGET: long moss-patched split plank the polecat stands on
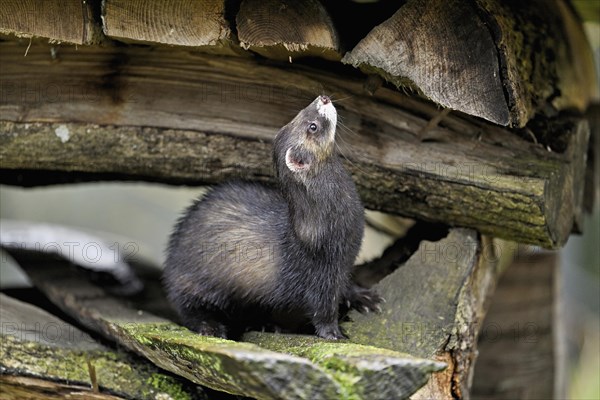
x,y
320,370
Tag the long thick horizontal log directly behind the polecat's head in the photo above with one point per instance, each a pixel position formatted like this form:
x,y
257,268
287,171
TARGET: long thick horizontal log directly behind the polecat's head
x,y
97,110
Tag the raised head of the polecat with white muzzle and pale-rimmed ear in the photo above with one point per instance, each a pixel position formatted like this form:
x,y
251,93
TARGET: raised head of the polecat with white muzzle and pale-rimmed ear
x,y
308,140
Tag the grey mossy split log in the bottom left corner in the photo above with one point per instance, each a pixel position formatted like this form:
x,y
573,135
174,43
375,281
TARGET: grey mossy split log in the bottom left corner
x,y
36,344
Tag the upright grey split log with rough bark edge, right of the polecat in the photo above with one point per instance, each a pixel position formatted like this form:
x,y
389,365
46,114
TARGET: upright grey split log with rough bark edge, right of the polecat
x,y
434,306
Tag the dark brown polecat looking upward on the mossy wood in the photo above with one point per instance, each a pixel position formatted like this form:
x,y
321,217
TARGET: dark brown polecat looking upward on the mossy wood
x,y
248,255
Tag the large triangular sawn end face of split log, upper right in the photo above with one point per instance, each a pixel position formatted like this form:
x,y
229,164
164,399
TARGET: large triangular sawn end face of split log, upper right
x,y
442,49
